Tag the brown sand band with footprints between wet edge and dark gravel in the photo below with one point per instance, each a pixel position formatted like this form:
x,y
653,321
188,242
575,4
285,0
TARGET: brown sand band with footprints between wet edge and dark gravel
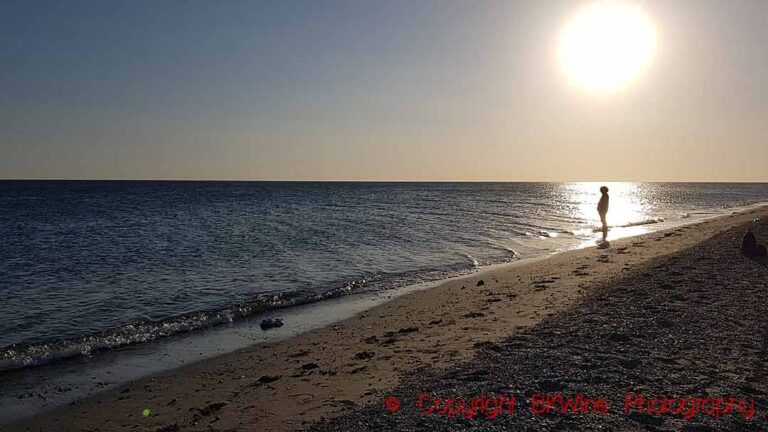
x,y
350,363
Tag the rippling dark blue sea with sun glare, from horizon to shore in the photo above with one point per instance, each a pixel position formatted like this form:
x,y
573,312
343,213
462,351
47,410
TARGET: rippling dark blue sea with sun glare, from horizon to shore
x,y
87,266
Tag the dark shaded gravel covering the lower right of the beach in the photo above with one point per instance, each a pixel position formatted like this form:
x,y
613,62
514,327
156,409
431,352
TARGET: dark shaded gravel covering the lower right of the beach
x,y
691,324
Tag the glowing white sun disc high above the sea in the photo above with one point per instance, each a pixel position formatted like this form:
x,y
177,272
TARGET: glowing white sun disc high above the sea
x,y
607,45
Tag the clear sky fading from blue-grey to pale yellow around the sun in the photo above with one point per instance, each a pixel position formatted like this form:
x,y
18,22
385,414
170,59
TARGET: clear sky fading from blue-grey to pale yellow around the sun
x,y
372,90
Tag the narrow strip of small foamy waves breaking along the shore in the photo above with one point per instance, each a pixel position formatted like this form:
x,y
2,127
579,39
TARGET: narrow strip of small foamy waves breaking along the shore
x,y
22,356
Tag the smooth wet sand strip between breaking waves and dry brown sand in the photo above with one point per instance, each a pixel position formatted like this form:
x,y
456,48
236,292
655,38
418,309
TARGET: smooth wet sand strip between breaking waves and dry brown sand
x,y
32,391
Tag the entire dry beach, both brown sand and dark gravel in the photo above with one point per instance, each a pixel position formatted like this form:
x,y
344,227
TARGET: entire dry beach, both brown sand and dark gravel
x,y
533,320
